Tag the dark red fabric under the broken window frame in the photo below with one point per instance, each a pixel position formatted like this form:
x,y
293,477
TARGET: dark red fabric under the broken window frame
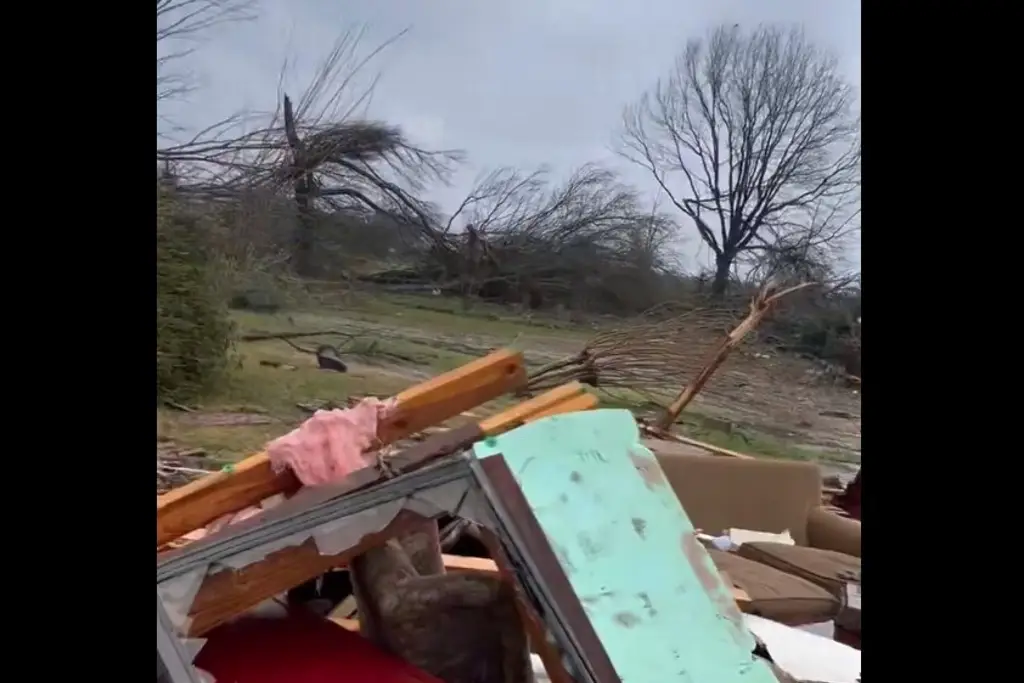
x,y
301,649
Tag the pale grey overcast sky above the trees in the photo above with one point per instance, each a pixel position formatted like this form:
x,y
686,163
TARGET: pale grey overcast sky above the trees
x,y
520,83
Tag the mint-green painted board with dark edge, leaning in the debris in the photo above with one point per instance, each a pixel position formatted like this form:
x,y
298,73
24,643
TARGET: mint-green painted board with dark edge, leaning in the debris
x,y
604,526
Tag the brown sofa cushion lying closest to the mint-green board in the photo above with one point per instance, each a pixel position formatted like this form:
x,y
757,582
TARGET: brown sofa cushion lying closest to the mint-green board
x,y
777,595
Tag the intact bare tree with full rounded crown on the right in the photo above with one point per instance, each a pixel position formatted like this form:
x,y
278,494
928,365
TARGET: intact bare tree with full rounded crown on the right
x,y
758,127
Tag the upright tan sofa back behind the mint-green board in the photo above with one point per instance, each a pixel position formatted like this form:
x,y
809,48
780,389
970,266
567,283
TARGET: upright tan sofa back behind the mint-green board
x,y
720,493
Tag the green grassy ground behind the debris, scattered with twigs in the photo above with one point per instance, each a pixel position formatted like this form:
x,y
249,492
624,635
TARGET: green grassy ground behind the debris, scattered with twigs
x,y
392,344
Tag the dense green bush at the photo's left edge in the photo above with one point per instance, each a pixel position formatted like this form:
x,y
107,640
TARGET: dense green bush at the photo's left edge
x,y
194,332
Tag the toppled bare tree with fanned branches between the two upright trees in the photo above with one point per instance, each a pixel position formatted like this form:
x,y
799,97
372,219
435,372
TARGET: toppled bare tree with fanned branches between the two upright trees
x,y
525,238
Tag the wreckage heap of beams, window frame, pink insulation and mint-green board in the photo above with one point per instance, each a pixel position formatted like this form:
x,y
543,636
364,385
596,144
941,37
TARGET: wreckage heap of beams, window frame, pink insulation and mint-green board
x,y
377,544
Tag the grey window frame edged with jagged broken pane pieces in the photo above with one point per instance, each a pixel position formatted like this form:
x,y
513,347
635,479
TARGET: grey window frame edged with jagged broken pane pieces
x,y
490,497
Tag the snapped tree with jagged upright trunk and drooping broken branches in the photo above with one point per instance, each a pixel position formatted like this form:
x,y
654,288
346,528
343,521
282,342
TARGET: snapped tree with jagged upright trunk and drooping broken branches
x,y
317,152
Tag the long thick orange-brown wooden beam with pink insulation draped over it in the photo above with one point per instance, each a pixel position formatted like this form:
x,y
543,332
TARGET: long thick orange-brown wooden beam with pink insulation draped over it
x,y
445,397
